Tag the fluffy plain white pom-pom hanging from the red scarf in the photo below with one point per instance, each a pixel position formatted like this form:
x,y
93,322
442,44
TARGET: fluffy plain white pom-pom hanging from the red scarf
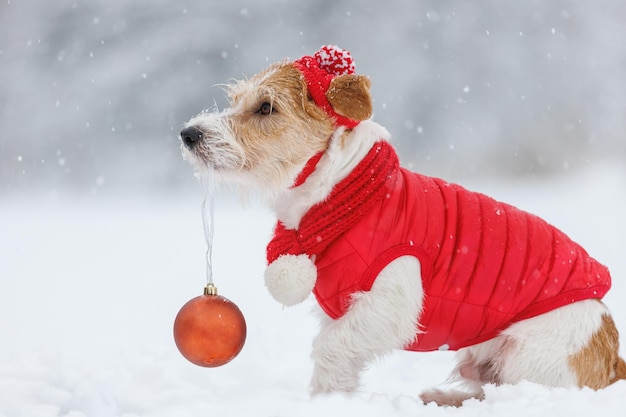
x,y
291,278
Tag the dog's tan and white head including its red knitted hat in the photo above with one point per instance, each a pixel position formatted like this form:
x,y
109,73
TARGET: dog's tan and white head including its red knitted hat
x,y
278,120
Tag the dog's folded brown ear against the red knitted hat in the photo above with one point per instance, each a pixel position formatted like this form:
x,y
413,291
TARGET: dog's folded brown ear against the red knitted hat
x,y
350,96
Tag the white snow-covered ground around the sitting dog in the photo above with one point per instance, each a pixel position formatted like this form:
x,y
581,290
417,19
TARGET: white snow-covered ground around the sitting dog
x,y
89,288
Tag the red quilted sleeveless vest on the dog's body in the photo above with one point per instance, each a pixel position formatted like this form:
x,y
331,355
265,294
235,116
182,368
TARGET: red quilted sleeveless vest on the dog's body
x,y
484,264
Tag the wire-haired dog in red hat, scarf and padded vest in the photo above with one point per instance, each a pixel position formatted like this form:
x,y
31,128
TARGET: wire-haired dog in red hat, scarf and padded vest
x,y
397,260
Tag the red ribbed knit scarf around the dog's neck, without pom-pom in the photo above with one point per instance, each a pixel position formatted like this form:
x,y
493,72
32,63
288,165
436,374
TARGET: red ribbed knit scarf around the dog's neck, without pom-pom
x,y
348,202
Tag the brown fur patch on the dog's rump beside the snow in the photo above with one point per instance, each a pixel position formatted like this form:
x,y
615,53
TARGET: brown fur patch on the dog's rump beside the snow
x,y
598,364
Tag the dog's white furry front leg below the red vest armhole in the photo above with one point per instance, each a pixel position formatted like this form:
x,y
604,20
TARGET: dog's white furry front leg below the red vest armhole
x,y
383,319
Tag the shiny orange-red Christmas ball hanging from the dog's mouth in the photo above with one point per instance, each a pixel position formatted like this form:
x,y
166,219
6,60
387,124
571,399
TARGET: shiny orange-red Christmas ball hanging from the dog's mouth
x,y
209,330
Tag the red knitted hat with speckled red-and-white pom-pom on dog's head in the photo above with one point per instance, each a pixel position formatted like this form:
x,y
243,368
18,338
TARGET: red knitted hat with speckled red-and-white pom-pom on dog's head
x,y
319,70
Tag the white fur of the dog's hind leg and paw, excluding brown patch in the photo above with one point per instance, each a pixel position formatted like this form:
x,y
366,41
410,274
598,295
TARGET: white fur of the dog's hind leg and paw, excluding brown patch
x,y
535,350
